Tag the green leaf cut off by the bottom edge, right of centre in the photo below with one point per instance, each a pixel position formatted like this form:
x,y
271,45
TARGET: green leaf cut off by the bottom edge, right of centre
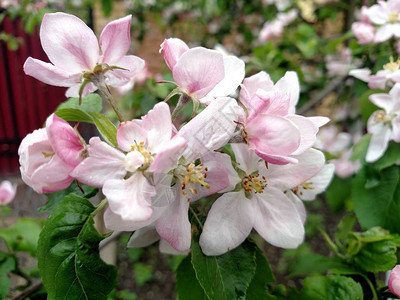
x,y
331,287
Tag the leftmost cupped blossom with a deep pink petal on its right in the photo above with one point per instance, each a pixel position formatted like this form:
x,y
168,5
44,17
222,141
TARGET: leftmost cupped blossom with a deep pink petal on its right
x,y
48,155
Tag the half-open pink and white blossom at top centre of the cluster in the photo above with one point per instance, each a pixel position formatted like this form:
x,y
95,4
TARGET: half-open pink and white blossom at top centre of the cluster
x,y
202,73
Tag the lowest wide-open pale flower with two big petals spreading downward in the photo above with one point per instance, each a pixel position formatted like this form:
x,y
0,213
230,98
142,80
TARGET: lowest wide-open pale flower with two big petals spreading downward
x,y
260,203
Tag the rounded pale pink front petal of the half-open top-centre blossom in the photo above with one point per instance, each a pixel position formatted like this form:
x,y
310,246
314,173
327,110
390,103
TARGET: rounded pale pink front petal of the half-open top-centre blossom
x,y
199,70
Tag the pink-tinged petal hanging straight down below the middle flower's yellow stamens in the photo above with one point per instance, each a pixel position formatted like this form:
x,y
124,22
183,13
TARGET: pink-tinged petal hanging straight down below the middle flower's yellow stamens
x,y
174,226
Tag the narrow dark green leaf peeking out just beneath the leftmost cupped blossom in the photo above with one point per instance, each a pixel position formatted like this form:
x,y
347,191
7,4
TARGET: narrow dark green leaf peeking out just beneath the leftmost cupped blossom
x,y
54,198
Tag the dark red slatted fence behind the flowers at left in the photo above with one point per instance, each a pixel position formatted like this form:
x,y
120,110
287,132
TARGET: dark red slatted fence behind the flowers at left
x,y
25,102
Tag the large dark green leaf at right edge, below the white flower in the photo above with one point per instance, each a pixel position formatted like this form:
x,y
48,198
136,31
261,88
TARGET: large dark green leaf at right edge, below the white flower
x,y
379,205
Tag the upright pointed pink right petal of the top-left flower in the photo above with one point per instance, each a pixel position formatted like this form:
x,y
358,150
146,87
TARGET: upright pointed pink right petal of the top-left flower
x,y
115,40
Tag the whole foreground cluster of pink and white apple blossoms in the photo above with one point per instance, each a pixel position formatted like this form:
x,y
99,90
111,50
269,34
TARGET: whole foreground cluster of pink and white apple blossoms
x,y
157,168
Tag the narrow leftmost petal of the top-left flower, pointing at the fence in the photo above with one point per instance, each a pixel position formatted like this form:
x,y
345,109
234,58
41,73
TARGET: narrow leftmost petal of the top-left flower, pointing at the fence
x,y
49,73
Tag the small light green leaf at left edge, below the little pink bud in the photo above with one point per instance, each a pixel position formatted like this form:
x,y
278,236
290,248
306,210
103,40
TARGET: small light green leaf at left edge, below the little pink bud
x,y
23,235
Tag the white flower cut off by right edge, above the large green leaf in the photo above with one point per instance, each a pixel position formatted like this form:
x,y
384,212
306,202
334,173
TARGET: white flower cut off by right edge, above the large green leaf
x,y
384,125
